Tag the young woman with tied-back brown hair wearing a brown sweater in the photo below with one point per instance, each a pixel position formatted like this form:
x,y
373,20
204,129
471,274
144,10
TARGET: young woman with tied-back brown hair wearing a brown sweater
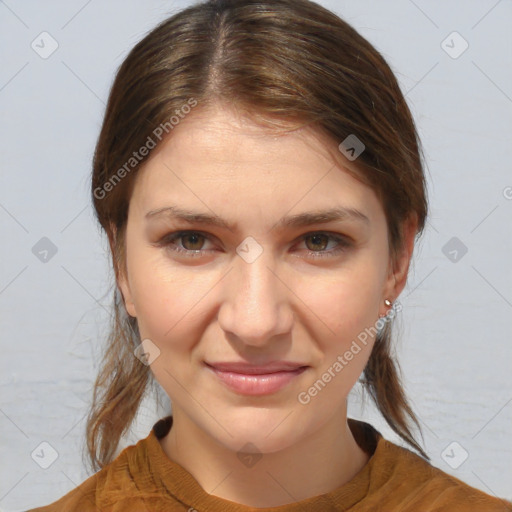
x,y
258,175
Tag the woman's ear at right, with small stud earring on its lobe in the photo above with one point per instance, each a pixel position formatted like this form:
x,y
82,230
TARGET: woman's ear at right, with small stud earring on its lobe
x,y
399,267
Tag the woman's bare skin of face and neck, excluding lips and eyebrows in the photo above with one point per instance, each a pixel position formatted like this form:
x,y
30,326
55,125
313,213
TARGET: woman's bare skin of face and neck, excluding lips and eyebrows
x,y
285,305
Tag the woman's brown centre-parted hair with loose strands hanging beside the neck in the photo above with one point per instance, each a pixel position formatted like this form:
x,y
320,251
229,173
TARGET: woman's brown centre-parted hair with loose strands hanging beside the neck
x,y
286,63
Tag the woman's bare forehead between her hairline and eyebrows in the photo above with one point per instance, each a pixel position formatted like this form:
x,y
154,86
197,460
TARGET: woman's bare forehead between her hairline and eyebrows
x,y
218,159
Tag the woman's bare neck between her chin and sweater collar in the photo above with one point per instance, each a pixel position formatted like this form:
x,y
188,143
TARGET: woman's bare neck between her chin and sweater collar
x,y
324,461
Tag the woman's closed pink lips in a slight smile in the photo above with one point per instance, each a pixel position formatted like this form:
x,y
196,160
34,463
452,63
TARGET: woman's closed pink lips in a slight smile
x,y
255,380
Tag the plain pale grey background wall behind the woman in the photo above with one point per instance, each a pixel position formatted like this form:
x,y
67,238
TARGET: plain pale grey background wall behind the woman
x,y
456,328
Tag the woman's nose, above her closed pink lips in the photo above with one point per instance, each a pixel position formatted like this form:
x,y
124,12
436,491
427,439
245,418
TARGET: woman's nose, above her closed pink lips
x,y
256,302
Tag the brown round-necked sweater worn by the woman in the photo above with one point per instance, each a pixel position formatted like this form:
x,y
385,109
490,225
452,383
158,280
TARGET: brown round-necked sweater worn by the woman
x,y
143,479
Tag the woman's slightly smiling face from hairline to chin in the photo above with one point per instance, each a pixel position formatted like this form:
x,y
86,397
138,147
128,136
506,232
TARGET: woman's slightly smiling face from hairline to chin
x,y
256,280
